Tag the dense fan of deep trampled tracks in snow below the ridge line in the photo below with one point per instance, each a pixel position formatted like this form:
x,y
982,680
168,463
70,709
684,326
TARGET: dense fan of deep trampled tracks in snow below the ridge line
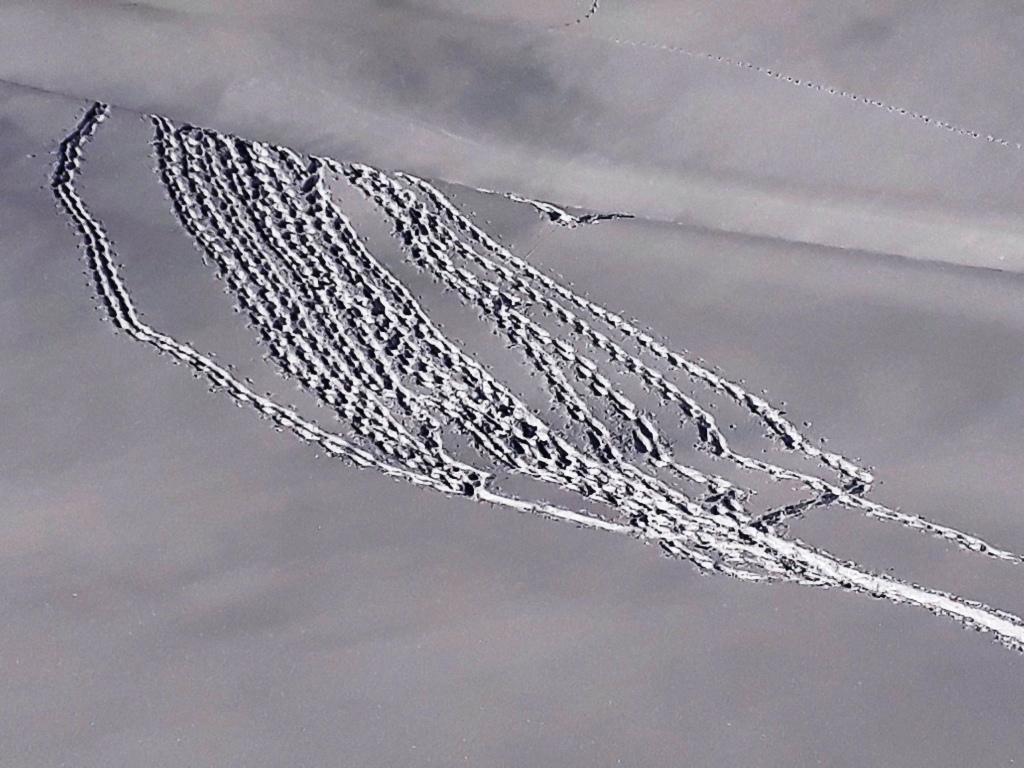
x,y
340,324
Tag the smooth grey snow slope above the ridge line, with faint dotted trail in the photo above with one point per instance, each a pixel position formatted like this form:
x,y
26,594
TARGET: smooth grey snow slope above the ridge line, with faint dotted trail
x,y
632,110
